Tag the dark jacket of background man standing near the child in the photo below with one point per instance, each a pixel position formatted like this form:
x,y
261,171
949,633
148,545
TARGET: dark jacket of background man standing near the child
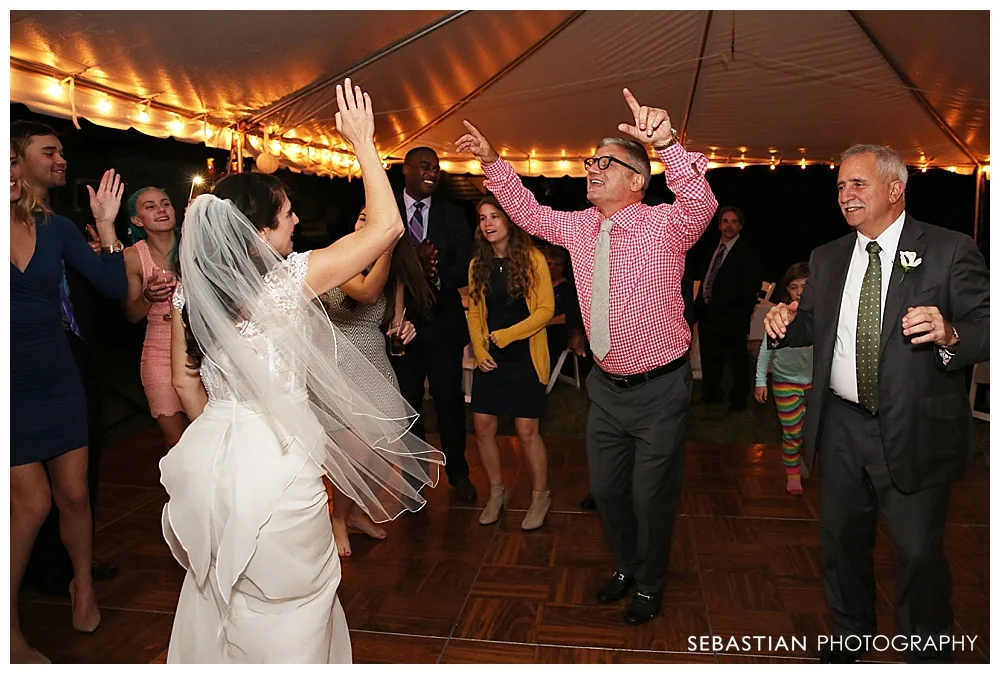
x,y
734,292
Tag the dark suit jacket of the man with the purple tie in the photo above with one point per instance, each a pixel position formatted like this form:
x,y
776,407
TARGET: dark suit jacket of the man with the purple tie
x,y
448,229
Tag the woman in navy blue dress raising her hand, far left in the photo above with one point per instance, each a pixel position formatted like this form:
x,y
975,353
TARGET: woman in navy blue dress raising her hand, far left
x,y
48,412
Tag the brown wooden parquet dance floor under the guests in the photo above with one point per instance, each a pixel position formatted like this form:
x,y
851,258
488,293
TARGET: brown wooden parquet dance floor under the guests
x,y
443,588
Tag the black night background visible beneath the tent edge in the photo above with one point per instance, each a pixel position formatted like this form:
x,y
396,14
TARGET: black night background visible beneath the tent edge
x,y
789,210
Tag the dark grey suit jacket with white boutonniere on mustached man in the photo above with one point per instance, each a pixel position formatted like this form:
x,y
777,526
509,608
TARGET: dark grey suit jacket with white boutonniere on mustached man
x,y
924,411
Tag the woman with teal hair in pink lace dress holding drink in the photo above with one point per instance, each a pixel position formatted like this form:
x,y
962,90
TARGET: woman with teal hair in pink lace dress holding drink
x,y
150,286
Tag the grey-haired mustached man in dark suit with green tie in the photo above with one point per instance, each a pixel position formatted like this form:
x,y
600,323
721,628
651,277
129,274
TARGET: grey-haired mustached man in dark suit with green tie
x,y
895,310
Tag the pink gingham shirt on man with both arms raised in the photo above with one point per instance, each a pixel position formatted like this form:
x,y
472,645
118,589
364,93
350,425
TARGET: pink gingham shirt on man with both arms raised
x,y
648,246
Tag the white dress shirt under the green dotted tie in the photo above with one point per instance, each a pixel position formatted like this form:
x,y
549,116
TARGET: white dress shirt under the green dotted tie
x,y
844,373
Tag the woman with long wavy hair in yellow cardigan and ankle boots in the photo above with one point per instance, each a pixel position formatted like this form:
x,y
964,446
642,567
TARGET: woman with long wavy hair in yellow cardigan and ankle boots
x,y
510,303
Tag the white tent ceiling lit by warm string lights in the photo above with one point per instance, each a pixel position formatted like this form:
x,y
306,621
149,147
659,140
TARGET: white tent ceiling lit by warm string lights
x,y
743,86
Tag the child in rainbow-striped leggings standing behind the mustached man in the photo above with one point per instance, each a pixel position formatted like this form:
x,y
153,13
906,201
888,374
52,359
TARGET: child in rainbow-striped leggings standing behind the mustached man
x,y
791,377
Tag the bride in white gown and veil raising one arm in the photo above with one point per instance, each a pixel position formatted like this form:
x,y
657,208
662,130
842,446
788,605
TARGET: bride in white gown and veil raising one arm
x,y
275,395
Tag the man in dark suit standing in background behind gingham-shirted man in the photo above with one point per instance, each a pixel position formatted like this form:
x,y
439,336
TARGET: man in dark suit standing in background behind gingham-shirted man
x,y
724,306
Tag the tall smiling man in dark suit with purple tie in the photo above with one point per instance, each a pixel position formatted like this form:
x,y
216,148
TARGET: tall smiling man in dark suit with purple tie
x,y
441,235
